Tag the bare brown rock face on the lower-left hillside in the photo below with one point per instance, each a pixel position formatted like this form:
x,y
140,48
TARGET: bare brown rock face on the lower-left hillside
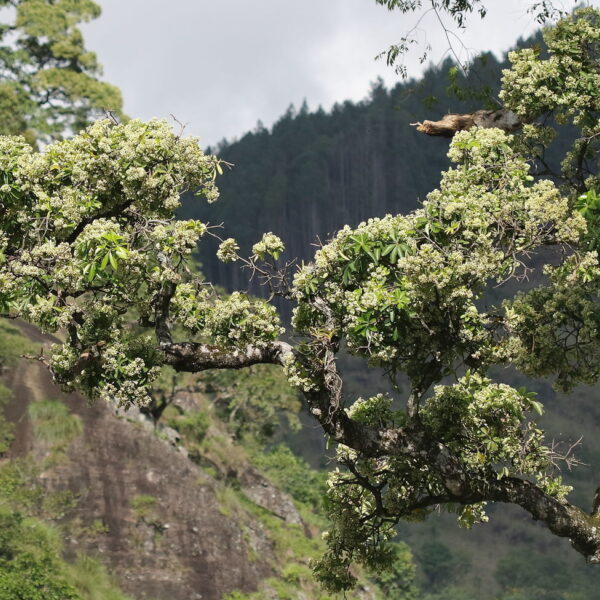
x,y
159,522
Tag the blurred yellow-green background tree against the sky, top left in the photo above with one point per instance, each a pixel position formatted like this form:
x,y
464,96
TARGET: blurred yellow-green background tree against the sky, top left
x,y
48,80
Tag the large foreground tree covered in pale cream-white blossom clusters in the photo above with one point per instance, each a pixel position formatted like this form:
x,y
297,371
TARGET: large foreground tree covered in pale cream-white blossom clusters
x,y
89,243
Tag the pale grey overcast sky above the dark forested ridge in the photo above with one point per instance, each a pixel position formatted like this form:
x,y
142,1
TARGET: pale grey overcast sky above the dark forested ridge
x,y
222,65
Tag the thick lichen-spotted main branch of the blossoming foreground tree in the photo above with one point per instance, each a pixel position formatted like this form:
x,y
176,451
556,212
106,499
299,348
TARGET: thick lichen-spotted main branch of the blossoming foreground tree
x,y
562,518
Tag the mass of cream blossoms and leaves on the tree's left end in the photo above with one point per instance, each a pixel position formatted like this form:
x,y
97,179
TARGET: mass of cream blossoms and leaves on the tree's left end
x,y
87,233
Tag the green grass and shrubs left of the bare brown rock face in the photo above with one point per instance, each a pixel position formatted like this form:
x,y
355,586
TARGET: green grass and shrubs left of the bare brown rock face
x,y
32,565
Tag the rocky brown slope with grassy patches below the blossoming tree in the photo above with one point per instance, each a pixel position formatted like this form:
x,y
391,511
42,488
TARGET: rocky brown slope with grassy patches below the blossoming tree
x,y
165,524
